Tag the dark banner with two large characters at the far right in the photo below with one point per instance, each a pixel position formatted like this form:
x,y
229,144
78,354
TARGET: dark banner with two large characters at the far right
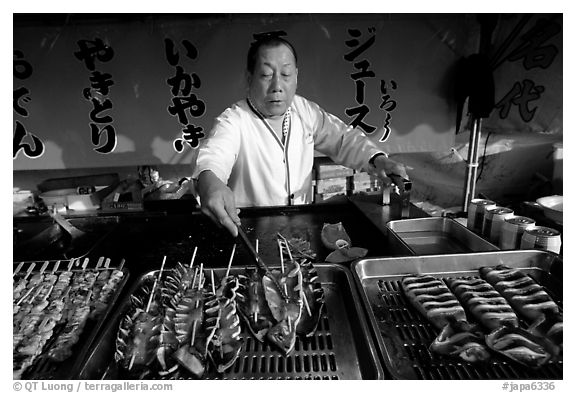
x,y
526,59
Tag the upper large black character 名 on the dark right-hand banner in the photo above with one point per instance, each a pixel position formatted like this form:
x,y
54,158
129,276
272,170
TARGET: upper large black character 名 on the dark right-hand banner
x,y
533,51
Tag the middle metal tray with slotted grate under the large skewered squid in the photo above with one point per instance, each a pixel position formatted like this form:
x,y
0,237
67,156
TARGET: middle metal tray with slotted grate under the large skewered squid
x,y
341,348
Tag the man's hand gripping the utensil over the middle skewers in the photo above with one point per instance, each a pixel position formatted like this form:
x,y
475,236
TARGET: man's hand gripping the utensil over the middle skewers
x,y
217,202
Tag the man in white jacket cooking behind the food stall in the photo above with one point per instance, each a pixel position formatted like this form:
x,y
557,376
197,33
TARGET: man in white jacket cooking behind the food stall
x,y
260,151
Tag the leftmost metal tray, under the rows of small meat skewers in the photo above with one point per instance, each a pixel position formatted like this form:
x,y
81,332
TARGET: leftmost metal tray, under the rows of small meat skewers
x,y
69,368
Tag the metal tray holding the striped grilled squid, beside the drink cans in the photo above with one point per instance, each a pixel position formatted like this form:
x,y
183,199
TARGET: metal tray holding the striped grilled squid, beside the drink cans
x,y
403,335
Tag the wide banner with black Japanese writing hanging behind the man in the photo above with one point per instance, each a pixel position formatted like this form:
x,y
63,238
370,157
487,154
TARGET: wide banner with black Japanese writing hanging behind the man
x,y
118,90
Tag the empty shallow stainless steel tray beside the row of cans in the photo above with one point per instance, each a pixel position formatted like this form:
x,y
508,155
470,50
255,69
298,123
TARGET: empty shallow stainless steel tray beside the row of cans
x,y
435,235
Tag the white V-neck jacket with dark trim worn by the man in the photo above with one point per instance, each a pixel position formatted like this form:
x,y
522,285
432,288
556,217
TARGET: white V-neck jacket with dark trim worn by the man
x,y
246,154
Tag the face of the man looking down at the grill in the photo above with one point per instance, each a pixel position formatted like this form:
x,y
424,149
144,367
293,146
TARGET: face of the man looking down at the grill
x,y
273,84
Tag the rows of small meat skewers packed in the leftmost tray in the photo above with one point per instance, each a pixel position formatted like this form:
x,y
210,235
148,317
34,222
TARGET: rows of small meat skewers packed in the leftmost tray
x,y
51,309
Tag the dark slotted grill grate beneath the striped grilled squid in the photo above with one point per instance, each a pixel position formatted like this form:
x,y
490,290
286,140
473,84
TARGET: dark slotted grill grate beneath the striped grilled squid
x,y
407,332
